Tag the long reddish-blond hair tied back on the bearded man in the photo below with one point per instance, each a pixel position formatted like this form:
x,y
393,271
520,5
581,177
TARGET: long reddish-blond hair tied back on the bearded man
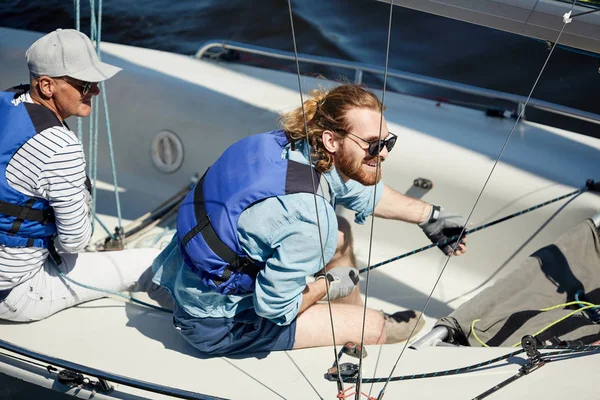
x,y
326,110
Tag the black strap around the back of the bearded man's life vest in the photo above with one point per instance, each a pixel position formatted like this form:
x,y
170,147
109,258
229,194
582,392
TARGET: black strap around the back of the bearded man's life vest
x,y
203,226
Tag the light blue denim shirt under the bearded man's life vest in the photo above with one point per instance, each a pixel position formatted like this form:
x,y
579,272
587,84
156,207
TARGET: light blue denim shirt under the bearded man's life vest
x,y
282,232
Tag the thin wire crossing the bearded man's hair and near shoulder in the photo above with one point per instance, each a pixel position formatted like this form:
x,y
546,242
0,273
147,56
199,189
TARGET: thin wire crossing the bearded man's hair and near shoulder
x,y
310,162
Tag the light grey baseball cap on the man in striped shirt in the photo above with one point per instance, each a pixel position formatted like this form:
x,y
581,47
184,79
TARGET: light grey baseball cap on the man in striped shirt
x,y
67,52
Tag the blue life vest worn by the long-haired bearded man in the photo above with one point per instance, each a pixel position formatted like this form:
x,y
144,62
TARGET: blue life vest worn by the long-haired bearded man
x,y
248,172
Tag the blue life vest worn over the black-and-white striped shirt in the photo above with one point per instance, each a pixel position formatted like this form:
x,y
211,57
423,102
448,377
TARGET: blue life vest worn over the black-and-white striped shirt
x,y
24,221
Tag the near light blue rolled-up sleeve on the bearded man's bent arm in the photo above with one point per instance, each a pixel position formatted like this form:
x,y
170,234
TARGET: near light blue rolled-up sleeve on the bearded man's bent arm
x,y
284,233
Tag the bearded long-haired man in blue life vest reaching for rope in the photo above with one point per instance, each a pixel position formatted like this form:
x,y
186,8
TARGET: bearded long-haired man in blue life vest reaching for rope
x,y
252,231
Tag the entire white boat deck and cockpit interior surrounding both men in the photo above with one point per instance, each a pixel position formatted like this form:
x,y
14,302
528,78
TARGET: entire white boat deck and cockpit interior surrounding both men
x,y
454,147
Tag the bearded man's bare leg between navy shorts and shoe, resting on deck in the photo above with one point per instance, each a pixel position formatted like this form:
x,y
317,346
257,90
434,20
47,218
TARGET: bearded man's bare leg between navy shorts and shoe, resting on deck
x,y
313,326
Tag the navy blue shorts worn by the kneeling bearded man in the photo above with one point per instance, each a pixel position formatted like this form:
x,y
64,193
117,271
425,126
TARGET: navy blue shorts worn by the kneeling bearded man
x,y
243,334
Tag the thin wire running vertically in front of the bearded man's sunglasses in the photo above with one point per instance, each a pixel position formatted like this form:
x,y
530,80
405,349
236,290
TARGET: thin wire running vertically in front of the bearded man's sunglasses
x,y
377,171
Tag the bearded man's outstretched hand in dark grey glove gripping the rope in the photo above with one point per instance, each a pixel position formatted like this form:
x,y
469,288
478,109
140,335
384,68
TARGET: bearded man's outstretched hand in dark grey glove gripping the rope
x,y
441,226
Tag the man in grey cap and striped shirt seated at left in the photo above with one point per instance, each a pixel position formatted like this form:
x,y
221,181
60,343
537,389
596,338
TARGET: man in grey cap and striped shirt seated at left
x,y
43,195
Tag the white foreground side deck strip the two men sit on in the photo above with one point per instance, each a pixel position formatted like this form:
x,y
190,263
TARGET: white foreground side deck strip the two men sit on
x,y
133,341
